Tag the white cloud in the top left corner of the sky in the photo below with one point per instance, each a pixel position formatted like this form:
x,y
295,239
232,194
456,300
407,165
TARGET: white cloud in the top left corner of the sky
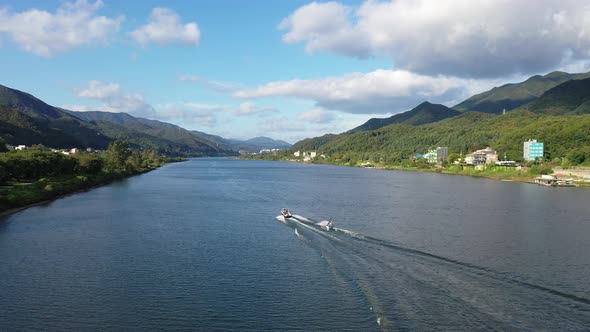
x,y
72,25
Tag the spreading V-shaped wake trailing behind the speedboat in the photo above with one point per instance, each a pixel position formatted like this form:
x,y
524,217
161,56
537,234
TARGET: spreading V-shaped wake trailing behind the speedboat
x,y
412,289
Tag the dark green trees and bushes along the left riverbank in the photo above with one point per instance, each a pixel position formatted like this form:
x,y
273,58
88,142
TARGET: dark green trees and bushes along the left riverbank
x,y
39,174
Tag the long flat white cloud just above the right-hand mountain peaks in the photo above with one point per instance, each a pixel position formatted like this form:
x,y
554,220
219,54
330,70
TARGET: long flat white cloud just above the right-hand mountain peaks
x,y
380,91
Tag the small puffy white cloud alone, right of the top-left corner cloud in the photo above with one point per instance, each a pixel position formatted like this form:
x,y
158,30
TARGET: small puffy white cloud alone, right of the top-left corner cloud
x,y
165,27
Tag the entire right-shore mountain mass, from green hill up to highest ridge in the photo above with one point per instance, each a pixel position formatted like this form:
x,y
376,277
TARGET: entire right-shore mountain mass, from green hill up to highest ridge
x,y
553,108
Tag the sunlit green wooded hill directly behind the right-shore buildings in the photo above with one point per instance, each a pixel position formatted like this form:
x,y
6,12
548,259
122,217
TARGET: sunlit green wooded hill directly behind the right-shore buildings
x,y
505,133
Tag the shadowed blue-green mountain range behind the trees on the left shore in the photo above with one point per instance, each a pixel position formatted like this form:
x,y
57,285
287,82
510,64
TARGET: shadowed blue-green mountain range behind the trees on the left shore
x,y
25,119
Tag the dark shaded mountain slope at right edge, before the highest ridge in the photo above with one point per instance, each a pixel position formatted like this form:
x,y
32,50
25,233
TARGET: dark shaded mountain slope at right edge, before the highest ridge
x,y
571,97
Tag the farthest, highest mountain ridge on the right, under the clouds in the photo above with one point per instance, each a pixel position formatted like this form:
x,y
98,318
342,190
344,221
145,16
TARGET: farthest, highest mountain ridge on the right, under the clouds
x,y
514,95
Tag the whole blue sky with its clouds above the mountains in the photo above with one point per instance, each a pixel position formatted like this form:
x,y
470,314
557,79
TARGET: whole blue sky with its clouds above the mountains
x,y
284,69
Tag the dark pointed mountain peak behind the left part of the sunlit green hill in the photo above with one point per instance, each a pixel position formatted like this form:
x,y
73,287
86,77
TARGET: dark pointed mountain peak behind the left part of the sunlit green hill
x,y
421,114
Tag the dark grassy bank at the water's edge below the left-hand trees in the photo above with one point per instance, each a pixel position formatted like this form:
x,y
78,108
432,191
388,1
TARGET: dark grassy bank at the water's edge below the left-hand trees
x,y
47,189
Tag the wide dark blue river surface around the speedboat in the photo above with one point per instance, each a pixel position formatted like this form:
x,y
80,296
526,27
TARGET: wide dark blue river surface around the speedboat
x,y
196,246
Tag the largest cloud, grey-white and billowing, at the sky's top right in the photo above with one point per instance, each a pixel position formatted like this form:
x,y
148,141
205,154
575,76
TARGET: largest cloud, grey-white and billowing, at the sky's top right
x,y
486,38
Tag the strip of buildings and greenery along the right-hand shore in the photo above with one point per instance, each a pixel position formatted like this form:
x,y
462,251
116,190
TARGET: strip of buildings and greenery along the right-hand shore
x,y
533,167
